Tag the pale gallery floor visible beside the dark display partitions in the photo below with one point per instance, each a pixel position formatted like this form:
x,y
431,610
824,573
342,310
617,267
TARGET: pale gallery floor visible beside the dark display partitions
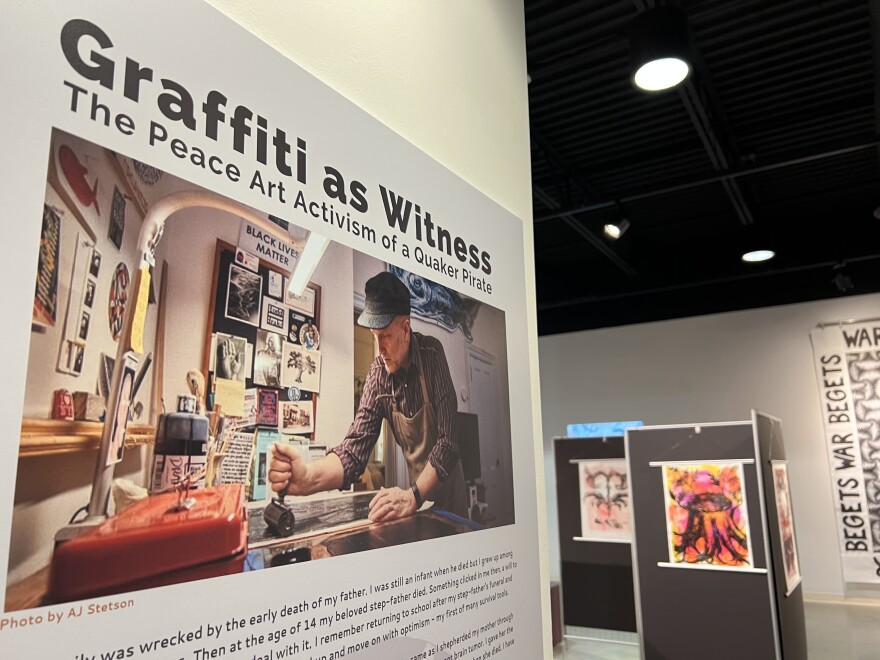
x,y
834,631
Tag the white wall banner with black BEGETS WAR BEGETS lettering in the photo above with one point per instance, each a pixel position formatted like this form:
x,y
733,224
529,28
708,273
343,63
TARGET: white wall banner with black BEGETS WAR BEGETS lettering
x,y
848,373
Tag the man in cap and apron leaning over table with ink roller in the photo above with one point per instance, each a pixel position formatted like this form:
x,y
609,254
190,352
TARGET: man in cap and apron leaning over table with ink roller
x,y
409,385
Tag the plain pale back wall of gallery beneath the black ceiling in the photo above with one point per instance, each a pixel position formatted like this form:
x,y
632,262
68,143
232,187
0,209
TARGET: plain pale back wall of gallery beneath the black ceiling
x,y
711,369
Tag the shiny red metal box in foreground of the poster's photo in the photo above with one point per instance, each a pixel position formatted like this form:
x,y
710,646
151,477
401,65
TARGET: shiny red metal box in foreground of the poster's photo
x,y
153,544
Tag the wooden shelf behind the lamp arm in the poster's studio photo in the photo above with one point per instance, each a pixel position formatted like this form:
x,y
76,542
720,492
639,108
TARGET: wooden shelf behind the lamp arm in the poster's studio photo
x,y
40,437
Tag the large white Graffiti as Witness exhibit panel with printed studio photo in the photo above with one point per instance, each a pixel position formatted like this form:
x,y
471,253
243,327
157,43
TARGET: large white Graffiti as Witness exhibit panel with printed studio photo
x,y
200,223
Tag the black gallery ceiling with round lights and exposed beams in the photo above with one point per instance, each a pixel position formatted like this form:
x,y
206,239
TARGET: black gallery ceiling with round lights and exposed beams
x,y
774,137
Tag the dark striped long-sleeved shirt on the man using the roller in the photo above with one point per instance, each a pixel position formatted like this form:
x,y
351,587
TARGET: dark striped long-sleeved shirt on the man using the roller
x,y
426,353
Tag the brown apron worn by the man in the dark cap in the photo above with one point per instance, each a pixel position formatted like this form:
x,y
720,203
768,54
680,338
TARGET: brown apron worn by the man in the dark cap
x,y
417,436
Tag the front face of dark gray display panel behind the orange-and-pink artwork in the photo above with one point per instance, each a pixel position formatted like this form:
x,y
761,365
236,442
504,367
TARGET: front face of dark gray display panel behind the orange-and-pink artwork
x,y
698,612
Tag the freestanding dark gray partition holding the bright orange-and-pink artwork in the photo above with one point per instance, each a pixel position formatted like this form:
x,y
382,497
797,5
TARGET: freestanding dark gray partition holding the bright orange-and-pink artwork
x,y
706,561
